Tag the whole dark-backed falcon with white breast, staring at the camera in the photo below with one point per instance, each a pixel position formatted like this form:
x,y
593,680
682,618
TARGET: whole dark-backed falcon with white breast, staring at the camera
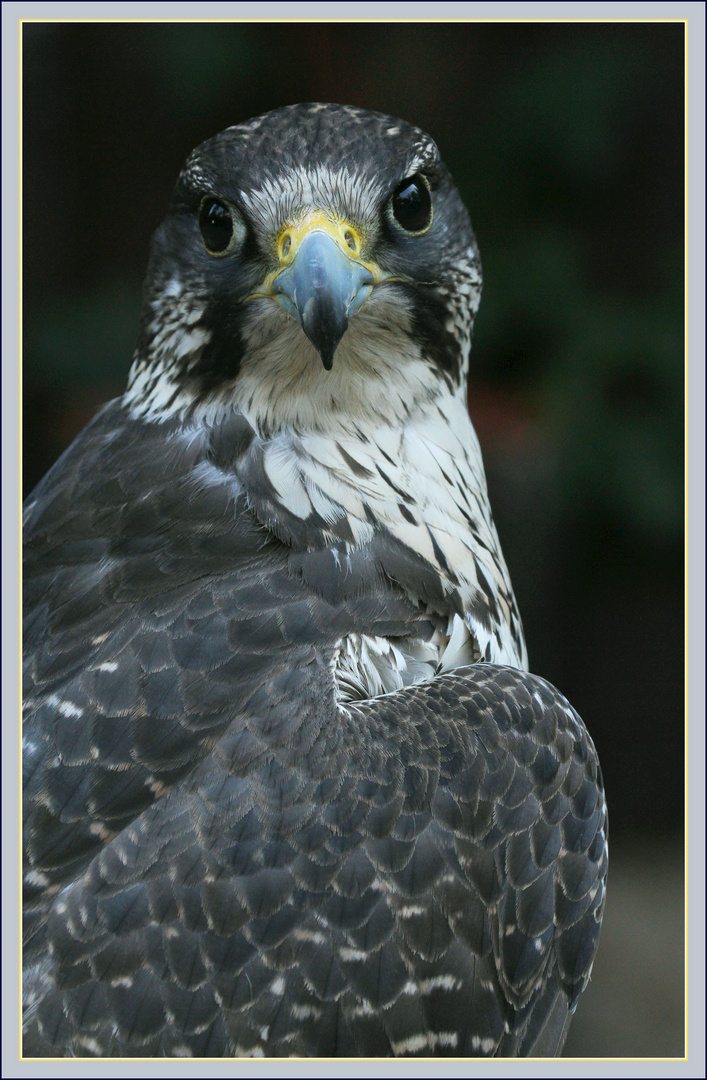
x,y
290,788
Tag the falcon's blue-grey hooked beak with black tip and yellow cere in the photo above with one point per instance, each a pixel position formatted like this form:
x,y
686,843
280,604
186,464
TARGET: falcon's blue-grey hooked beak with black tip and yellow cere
x,y
322,281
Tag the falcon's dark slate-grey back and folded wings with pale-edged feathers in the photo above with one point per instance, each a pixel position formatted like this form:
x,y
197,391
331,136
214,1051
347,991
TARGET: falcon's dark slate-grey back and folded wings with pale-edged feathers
x,y
224,860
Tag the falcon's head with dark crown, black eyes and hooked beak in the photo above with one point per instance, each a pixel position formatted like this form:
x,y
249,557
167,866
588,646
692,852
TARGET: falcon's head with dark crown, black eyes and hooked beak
x,y
315,259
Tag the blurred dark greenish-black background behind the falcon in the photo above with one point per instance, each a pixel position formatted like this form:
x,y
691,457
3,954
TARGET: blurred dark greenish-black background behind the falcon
x,y
567,144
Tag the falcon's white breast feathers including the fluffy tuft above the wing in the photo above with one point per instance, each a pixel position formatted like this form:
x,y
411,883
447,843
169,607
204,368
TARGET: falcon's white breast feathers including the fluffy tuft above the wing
x,y
427,453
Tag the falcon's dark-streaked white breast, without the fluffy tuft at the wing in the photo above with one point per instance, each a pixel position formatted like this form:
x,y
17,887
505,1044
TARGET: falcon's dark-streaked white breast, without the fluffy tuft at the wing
x,y
423,479
